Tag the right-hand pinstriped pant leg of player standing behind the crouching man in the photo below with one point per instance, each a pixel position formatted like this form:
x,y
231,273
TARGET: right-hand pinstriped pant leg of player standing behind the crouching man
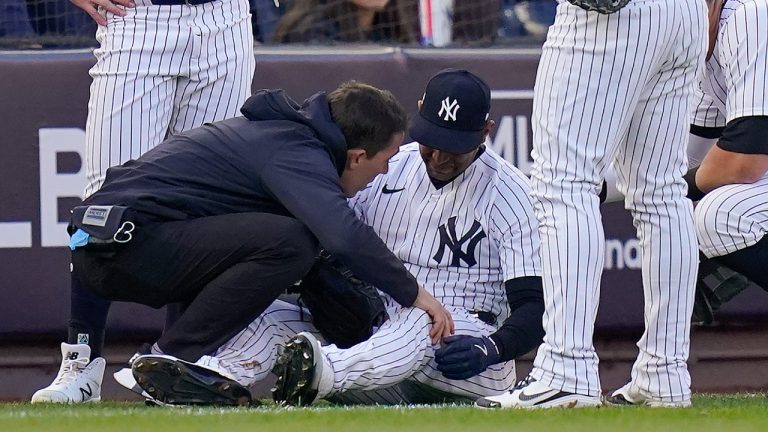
x,y
220,67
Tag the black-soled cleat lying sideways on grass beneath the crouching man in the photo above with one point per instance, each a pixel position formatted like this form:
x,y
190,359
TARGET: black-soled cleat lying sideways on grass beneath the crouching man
x,y
176,382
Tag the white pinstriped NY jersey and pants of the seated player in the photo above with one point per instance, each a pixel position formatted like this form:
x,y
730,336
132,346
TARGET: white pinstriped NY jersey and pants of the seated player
x,y
461,241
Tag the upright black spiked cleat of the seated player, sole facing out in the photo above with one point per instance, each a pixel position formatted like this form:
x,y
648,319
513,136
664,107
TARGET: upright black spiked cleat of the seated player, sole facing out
x,y
298,369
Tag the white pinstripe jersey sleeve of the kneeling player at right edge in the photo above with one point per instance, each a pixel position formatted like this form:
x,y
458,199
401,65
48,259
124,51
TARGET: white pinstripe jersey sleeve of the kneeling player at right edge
x,y
743,45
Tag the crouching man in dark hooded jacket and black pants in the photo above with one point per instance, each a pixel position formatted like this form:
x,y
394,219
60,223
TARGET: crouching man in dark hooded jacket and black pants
x,y
228,215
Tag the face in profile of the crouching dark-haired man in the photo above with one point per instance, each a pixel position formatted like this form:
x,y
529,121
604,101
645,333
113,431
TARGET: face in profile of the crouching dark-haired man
x,y
361,169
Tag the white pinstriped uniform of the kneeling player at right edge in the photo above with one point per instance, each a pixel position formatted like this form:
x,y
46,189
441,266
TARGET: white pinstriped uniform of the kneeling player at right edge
x,y
734,217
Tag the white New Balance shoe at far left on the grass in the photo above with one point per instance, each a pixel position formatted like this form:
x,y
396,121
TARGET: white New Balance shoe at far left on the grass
x,y
78,381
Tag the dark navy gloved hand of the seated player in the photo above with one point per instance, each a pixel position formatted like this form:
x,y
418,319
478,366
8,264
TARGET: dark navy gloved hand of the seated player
x,y
463,357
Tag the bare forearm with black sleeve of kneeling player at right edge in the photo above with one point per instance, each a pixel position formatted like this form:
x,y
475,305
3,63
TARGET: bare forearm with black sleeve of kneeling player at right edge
x,y
739,157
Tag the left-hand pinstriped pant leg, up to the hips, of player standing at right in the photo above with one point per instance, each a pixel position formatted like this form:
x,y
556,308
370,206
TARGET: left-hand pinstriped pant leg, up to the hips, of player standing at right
x,y
593,71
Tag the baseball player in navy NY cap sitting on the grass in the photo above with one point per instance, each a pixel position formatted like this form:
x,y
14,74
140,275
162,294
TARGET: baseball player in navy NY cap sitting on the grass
x,y
461,220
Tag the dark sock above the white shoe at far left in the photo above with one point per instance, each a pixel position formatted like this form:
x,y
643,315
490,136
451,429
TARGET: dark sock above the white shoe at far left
x,y
88,317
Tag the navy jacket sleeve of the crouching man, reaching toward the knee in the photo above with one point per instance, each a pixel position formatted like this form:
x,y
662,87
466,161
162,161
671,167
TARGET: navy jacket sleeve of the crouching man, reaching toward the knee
x,y
303,179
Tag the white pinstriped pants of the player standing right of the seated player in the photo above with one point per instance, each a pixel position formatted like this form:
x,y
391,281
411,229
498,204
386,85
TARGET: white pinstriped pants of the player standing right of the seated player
x,y
616,88
